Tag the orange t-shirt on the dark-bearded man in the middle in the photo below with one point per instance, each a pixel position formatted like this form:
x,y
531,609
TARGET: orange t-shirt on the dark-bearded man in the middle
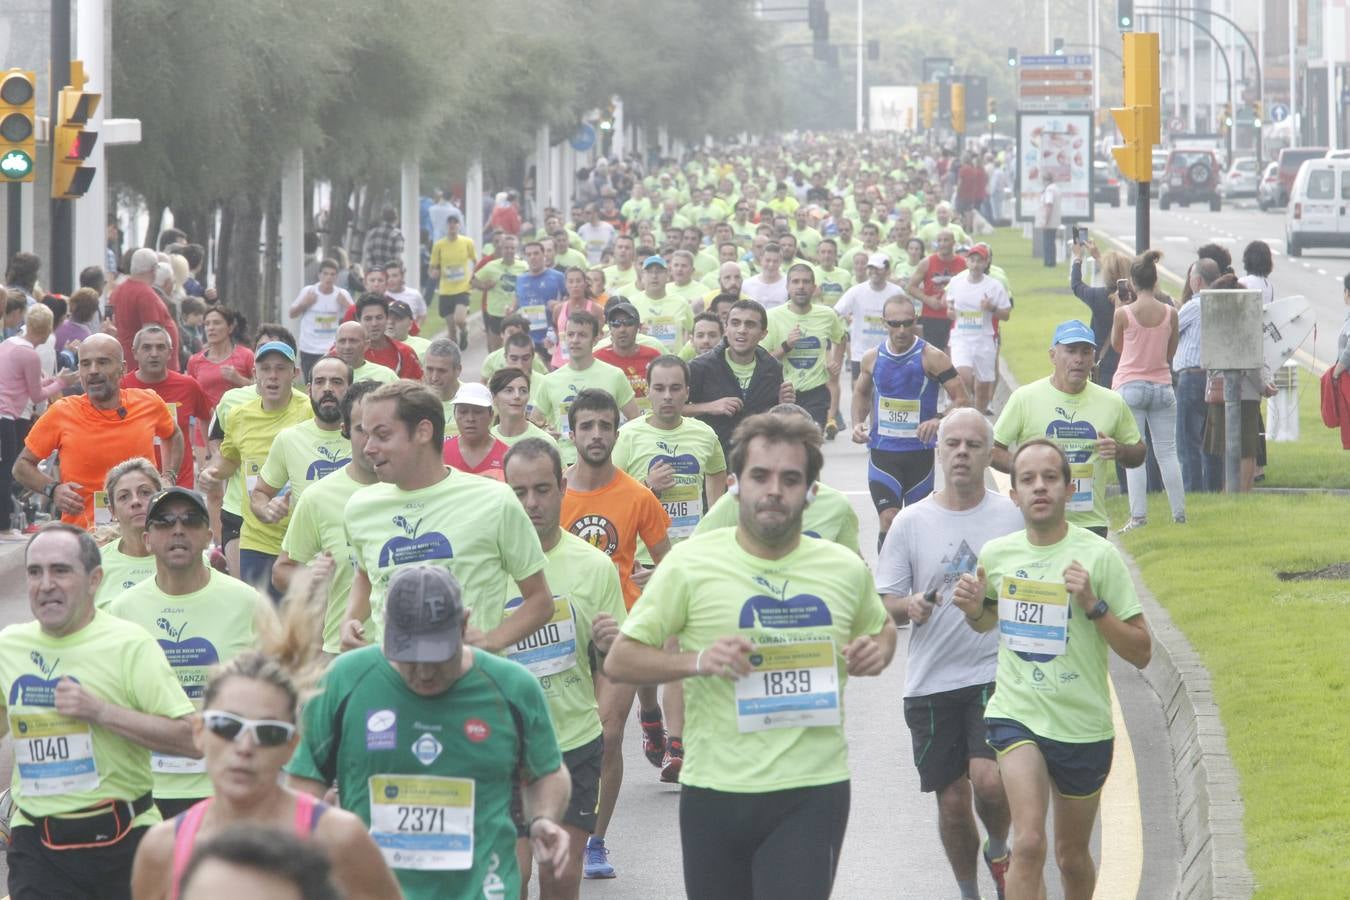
x,y
612,519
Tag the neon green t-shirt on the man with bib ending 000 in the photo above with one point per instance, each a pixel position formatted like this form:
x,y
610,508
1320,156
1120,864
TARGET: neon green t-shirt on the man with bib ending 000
x,y
585,584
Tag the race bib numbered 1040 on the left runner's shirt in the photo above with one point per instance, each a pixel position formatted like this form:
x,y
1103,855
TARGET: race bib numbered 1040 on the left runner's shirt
x,y
55,754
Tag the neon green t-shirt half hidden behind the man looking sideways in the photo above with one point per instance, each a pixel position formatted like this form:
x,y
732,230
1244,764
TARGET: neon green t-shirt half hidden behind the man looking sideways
x,y
317,526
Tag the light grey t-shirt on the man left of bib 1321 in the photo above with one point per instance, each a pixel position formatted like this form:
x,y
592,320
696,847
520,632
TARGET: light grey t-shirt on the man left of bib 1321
x,y
928,549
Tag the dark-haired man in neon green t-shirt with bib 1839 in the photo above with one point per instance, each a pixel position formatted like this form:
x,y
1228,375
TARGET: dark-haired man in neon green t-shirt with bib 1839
x,y
770,627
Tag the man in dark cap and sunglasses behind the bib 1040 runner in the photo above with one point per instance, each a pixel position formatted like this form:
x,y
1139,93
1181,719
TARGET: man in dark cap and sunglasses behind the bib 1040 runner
x,y
200,619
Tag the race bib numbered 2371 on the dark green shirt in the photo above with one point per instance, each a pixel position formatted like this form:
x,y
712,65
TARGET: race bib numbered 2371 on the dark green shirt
x,y
423,821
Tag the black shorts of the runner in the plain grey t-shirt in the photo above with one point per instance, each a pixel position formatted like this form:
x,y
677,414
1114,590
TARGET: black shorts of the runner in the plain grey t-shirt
x,y
948,732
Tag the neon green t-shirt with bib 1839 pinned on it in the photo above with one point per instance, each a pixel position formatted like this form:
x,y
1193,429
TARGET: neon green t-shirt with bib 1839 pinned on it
x,y
782,727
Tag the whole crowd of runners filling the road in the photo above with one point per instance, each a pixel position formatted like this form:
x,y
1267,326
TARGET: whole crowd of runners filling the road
x,y
322,609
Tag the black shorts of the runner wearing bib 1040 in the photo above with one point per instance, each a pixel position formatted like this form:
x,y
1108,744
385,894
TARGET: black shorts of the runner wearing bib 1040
x,y
87,874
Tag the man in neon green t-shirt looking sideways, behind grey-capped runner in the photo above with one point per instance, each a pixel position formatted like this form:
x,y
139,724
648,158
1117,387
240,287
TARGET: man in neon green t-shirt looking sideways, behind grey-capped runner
x,y
423,513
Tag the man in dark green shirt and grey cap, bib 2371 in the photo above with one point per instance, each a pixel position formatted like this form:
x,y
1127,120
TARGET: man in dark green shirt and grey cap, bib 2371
x,y
426,736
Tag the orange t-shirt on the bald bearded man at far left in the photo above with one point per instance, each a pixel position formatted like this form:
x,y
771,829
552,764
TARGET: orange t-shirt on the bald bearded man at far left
x,y
94,441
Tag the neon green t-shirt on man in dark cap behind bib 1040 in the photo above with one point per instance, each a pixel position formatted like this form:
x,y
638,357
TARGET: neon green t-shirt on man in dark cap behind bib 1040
x,y
196,634
